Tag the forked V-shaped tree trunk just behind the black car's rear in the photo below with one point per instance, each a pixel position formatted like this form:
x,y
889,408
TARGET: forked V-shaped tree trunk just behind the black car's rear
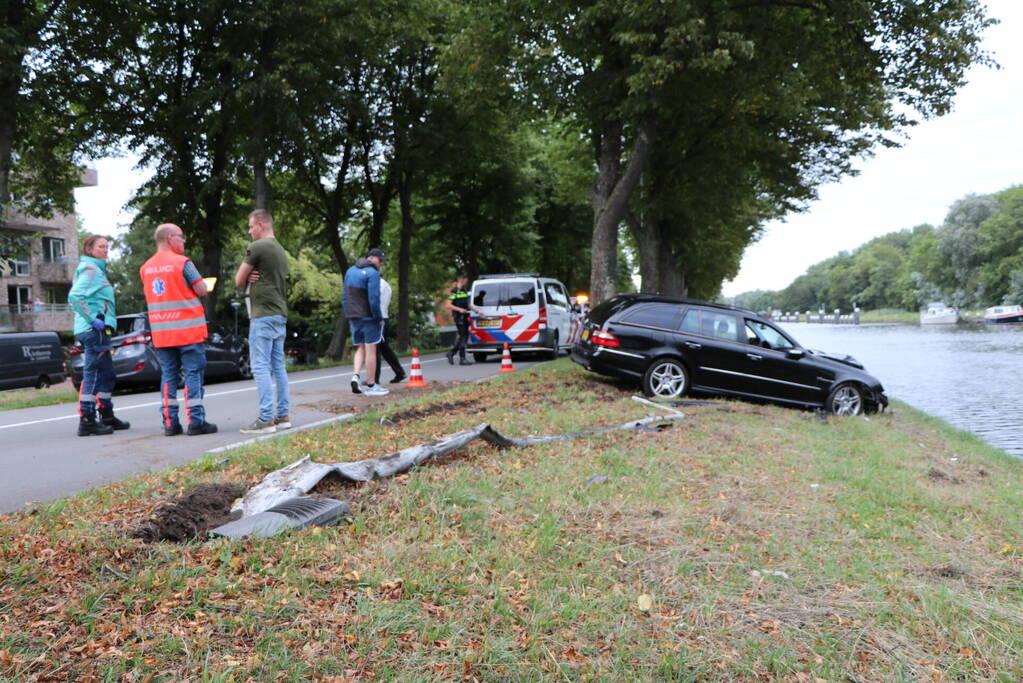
x,y
610,199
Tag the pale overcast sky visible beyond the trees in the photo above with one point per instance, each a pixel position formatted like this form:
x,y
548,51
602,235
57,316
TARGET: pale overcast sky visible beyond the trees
x,y
977,149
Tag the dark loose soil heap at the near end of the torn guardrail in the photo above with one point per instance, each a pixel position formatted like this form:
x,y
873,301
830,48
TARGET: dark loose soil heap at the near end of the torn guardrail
x,y
205,508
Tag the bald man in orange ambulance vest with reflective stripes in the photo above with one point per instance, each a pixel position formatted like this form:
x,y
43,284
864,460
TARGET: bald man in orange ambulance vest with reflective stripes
x,y
177,323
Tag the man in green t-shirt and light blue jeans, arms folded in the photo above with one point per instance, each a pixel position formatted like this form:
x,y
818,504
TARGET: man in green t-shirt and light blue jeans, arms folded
x,y
263,275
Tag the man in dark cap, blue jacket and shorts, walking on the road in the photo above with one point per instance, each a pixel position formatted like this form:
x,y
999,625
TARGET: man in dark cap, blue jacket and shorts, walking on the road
x,y
361,302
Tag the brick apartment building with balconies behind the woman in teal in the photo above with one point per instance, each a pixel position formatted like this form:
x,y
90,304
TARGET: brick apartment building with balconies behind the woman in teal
x,y
34,288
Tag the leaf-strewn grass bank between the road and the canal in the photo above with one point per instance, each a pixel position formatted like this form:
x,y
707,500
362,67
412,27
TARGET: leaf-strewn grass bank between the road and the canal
x,y
746,543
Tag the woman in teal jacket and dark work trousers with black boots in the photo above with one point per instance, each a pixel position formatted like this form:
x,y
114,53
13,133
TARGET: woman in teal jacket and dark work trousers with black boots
x,y
92,299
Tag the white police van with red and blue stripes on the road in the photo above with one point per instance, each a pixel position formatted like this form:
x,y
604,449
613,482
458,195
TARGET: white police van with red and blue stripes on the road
x,y
523,310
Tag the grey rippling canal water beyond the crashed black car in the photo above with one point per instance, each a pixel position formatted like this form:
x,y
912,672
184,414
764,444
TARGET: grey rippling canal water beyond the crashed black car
x,y
970,376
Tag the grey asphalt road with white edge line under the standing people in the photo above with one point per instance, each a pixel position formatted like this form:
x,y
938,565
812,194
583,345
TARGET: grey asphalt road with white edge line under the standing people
x,y
42,458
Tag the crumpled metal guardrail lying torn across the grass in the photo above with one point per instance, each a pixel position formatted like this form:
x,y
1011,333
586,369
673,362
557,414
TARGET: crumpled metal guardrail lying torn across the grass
x,y
290,483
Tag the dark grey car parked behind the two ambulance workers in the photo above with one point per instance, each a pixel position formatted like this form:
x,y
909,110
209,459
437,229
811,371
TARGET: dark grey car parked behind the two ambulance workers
x,y
136,360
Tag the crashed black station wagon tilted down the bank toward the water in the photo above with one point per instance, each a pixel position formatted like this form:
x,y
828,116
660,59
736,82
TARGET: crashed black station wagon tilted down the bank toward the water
x,y
675,346
